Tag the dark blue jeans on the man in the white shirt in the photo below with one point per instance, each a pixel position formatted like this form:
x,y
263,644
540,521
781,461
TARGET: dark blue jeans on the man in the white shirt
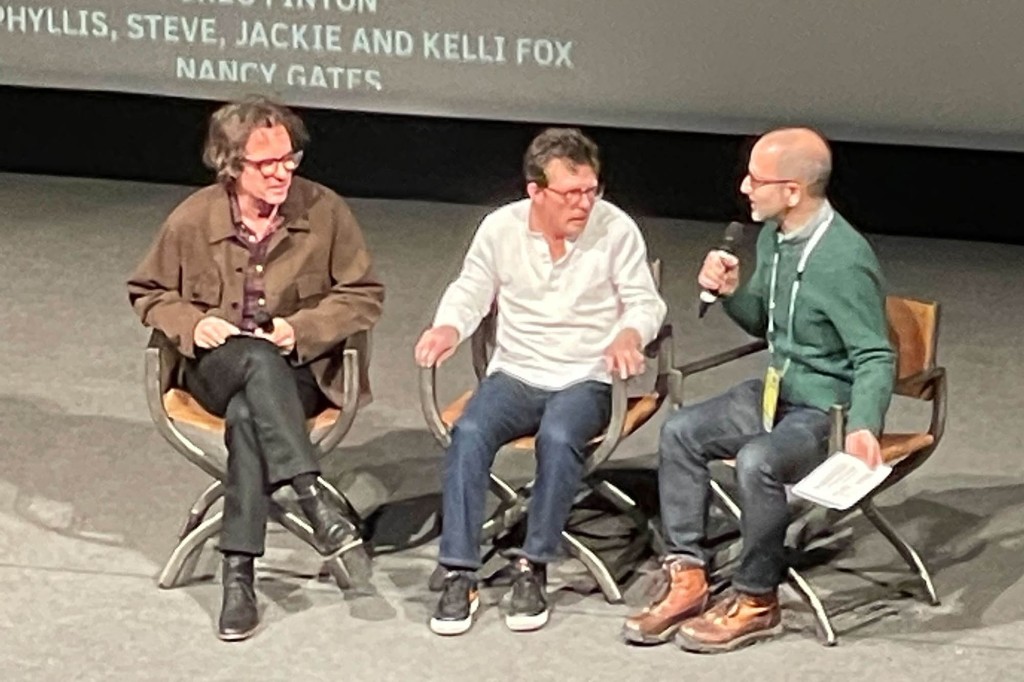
x,y
504,409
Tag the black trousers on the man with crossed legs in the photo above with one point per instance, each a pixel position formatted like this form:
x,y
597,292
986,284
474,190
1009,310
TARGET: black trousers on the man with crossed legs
x,y
265,402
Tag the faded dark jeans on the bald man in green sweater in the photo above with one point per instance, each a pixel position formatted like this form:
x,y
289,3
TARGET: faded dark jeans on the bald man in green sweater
x,y
730,427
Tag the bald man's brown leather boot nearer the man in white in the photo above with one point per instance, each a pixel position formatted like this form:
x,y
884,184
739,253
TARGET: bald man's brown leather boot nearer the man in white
x,y
687,598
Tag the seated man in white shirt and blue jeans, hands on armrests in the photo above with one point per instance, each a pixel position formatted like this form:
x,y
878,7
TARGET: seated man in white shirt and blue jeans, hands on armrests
x,y
576,303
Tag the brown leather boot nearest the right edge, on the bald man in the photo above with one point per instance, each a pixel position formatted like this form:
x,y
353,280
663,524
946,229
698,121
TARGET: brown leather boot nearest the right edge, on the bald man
x,y
738,621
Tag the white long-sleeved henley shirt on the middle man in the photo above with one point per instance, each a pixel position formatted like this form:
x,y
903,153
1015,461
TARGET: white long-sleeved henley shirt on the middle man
x,y
556,319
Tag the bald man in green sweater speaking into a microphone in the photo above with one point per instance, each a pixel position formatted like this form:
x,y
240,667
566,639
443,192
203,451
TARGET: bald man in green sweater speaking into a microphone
x,y
817,295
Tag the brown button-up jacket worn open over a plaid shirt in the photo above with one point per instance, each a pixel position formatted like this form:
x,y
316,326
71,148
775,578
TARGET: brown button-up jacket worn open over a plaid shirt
x,y
318,277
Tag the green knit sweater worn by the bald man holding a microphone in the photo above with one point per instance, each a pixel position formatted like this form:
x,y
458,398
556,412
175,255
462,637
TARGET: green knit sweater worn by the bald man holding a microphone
x,y
840,351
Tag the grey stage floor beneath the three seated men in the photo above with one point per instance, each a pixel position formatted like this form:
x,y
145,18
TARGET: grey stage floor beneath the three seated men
x,y
92,498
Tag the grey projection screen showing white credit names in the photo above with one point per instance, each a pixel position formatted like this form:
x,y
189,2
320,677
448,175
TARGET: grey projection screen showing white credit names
x,y
925,72
